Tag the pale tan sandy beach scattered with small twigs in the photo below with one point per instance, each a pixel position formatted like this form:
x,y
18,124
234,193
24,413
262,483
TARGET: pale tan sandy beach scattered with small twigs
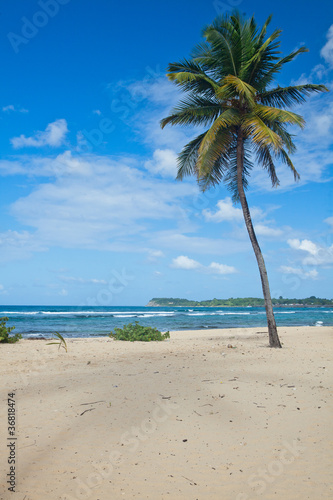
x,y
188,418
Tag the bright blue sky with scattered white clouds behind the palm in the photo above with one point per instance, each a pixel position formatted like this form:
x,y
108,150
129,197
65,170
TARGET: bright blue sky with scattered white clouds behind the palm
x,y
90,211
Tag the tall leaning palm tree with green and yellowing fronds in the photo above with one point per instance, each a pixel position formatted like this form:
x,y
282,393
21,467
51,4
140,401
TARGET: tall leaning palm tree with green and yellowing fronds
x,y
228,82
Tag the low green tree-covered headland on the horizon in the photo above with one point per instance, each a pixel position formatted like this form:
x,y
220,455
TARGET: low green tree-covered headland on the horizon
x,y
239,302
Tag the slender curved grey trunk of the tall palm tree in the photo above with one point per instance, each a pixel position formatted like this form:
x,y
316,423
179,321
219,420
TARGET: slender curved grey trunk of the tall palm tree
x,y
274,340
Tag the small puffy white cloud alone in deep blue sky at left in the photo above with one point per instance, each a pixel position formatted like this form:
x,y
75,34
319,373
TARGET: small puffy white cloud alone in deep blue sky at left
x,y
53,135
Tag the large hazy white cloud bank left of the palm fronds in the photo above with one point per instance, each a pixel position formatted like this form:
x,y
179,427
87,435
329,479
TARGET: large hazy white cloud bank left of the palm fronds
x,y
95,202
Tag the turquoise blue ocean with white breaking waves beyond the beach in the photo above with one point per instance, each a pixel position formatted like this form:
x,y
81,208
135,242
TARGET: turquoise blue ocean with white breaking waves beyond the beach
x,y
86,321
